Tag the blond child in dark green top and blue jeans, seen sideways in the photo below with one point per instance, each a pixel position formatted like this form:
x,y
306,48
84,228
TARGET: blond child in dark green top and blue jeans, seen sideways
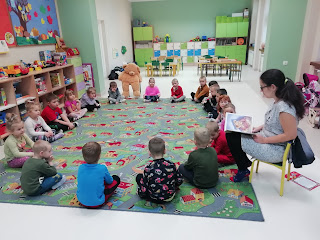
x,y
38,174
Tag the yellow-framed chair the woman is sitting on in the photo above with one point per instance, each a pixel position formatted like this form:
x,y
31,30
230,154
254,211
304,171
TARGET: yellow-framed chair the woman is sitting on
x,y
281,166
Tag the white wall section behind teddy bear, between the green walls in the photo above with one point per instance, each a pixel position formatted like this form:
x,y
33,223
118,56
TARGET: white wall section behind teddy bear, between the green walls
x,y
116,15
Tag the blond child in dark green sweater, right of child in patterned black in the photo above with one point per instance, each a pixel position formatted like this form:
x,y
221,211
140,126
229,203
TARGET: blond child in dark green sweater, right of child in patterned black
x,y
201,168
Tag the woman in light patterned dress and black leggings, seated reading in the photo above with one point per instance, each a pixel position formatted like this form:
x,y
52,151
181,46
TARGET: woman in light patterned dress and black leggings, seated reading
x,y
280,126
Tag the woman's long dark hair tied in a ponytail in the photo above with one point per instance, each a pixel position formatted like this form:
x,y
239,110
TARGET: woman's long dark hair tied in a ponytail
x,y
287,91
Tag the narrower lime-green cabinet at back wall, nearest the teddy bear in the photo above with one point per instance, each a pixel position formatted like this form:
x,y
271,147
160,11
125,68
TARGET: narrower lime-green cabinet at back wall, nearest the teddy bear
x,y
142,41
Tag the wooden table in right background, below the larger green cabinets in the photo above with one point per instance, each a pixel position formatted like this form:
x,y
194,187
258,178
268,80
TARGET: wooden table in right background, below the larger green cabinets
x,y
232,67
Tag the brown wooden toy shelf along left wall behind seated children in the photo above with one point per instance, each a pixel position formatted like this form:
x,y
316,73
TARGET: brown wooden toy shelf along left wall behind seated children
x,y
27,87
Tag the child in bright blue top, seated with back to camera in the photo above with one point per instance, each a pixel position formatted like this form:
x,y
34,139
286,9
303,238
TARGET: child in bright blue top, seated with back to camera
x,y
95,184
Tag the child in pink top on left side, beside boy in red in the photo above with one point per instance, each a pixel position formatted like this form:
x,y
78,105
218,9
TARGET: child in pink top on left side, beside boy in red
x,y
73,106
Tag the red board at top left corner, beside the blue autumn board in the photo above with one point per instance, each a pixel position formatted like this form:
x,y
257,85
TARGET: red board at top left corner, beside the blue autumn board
x,y
6,31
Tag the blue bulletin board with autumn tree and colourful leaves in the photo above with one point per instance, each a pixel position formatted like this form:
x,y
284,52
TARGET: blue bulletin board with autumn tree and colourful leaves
x,y
34,21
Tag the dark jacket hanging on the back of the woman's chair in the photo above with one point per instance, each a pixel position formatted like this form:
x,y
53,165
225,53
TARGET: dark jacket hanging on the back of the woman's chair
x,y
301,152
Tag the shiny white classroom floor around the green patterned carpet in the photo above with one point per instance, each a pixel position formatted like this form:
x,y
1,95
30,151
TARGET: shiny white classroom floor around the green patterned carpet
x,y
293,216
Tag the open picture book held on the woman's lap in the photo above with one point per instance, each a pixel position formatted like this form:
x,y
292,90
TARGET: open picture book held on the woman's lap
x,y
238,123
